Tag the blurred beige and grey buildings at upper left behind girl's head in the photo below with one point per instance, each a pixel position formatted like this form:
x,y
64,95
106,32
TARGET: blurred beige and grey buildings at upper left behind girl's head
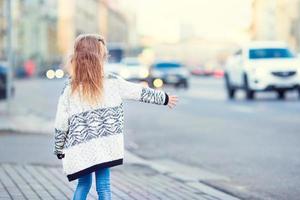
x,y
44,30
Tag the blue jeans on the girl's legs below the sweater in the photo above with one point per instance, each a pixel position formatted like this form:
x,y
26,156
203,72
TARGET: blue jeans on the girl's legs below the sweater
x,y
102,185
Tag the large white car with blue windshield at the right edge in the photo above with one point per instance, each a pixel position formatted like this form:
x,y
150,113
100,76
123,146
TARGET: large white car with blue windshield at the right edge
x,y
262,66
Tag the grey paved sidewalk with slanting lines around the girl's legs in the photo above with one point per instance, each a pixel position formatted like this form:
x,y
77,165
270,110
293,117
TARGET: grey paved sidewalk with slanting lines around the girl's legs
x,y
129,182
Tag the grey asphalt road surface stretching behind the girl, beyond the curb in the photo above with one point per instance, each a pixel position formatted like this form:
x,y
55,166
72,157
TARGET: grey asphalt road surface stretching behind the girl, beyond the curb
x,y
255,144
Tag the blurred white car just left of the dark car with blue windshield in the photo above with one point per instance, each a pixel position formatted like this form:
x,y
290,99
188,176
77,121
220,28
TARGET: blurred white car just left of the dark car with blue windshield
x,y
133,69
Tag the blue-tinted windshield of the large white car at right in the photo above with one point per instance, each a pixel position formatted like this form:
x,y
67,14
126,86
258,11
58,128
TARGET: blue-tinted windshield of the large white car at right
x,y
270,53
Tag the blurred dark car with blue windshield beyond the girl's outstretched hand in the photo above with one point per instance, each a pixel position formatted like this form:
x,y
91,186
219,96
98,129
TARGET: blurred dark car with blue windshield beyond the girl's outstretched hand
x,y
169,73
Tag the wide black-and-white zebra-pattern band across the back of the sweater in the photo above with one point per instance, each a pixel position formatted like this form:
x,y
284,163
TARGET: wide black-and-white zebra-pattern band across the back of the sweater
x,y
95,123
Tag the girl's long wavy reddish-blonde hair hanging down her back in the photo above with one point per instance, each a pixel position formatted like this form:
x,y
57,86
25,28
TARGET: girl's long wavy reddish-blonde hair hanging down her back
x,y
87,62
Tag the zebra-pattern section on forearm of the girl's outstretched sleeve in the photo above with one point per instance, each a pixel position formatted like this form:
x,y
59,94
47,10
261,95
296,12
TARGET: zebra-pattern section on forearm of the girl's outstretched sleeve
x,y
149,95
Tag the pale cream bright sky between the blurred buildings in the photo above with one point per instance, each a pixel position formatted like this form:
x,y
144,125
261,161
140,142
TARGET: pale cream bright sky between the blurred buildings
x,y
168,19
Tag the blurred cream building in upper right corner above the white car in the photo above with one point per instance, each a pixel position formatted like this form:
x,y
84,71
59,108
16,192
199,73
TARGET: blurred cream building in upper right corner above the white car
x,y
276,20
